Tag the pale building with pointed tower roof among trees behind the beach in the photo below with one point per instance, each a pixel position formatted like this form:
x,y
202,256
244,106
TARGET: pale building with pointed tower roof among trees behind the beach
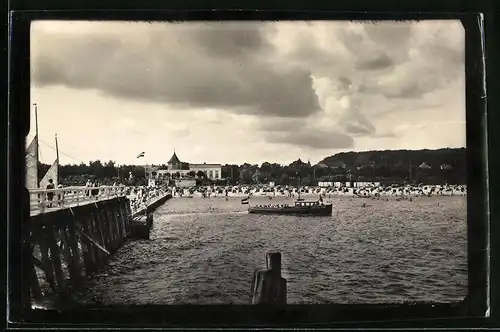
x,y
175,165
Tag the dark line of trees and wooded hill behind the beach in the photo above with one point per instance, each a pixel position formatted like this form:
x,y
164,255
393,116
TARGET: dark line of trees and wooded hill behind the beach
x,y
391,166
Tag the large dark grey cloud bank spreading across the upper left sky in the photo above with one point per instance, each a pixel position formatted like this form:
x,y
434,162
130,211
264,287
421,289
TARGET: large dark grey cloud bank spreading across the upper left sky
x,y
200,65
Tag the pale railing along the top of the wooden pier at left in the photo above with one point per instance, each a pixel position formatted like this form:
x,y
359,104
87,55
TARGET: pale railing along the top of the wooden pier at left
x,y
43,199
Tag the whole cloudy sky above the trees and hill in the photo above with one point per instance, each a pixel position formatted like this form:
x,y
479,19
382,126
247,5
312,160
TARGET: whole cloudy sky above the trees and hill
x,y
239,92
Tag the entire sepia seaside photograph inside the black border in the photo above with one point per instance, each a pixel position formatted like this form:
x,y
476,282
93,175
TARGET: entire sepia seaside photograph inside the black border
x,y
247,162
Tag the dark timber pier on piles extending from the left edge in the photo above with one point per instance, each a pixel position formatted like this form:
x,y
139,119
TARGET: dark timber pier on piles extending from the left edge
x,y
67,243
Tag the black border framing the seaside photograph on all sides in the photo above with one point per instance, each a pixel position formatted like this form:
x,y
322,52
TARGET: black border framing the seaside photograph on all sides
x,y
473,310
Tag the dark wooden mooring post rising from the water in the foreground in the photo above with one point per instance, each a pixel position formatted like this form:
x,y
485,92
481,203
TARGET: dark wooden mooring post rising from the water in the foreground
x,y
268,287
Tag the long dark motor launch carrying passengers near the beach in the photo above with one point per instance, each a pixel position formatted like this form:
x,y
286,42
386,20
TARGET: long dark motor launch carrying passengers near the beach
x,y
302,207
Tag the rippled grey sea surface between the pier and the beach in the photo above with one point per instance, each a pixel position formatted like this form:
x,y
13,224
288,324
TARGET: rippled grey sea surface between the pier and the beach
x,y
204,251
